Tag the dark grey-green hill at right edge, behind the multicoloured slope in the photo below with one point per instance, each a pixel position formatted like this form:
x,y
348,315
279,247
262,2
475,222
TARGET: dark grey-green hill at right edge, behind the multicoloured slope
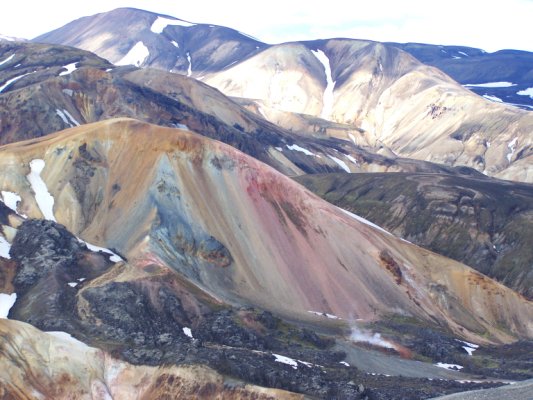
x,y
484,223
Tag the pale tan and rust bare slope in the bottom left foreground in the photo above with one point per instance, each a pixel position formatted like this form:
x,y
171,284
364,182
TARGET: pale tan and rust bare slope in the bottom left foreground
x,y
38,364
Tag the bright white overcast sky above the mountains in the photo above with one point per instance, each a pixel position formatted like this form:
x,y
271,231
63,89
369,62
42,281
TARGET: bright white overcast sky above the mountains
x,y
490,24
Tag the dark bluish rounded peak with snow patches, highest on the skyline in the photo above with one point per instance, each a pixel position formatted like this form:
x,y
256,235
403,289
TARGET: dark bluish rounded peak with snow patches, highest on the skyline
x,y
142,38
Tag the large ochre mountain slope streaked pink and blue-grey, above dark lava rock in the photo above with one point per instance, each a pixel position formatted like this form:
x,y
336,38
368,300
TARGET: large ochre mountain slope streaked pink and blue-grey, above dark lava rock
x,y
247,234
